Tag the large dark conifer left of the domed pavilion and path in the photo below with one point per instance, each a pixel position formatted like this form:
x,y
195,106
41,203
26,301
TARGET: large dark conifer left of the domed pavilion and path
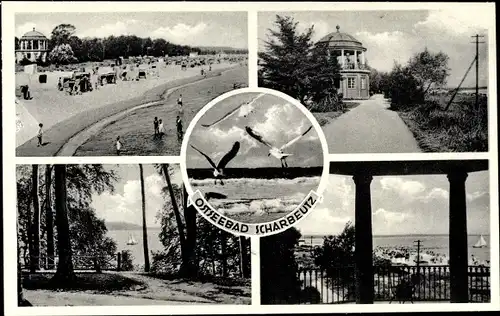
x,y
292,64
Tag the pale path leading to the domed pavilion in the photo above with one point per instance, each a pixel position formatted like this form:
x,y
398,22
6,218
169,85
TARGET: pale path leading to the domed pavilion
x,y
370,128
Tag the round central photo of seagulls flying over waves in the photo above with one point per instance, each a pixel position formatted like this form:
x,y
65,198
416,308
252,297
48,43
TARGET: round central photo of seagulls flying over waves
x,y
259,152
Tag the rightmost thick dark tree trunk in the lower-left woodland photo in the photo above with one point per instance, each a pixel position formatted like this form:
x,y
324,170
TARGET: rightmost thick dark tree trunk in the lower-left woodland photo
x,y
190,218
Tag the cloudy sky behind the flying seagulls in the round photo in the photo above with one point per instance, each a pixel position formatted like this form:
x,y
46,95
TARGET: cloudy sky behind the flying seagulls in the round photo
x,y
276,120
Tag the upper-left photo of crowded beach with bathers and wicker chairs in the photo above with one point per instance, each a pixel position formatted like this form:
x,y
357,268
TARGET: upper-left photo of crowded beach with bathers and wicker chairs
x,y
107,84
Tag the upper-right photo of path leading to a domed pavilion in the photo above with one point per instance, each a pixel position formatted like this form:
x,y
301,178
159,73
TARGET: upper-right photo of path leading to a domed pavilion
x,y
383,81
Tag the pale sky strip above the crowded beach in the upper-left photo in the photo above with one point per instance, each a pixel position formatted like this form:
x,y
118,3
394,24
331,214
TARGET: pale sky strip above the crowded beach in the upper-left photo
x,y
186,28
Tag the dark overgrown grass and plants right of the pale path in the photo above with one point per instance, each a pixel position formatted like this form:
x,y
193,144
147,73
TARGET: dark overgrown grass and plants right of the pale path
x,y
459,129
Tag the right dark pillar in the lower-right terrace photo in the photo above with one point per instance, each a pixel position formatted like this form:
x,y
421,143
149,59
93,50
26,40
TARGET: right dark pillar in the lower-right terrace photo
x,y
459,289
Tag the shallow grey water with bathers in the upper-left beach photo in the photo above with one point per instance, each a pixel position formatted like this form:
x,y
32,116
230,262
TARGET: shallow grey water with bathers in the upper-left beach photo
x,y
136,128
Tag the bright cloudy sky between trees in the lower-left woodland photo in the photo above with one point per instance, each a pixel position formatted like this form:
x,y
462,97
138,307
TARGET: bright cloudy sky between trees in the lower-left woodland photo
x,y
124,205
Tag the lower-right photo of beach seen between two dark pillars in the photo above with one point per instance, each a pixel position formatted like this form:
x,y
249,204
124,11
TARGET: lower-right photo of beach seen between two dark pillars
x,y
387,232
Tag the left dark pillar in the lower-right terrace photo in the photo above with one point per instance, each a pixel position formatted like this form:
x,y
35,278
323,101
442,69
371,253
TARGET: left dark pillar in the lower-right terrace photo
x,y
363,252
